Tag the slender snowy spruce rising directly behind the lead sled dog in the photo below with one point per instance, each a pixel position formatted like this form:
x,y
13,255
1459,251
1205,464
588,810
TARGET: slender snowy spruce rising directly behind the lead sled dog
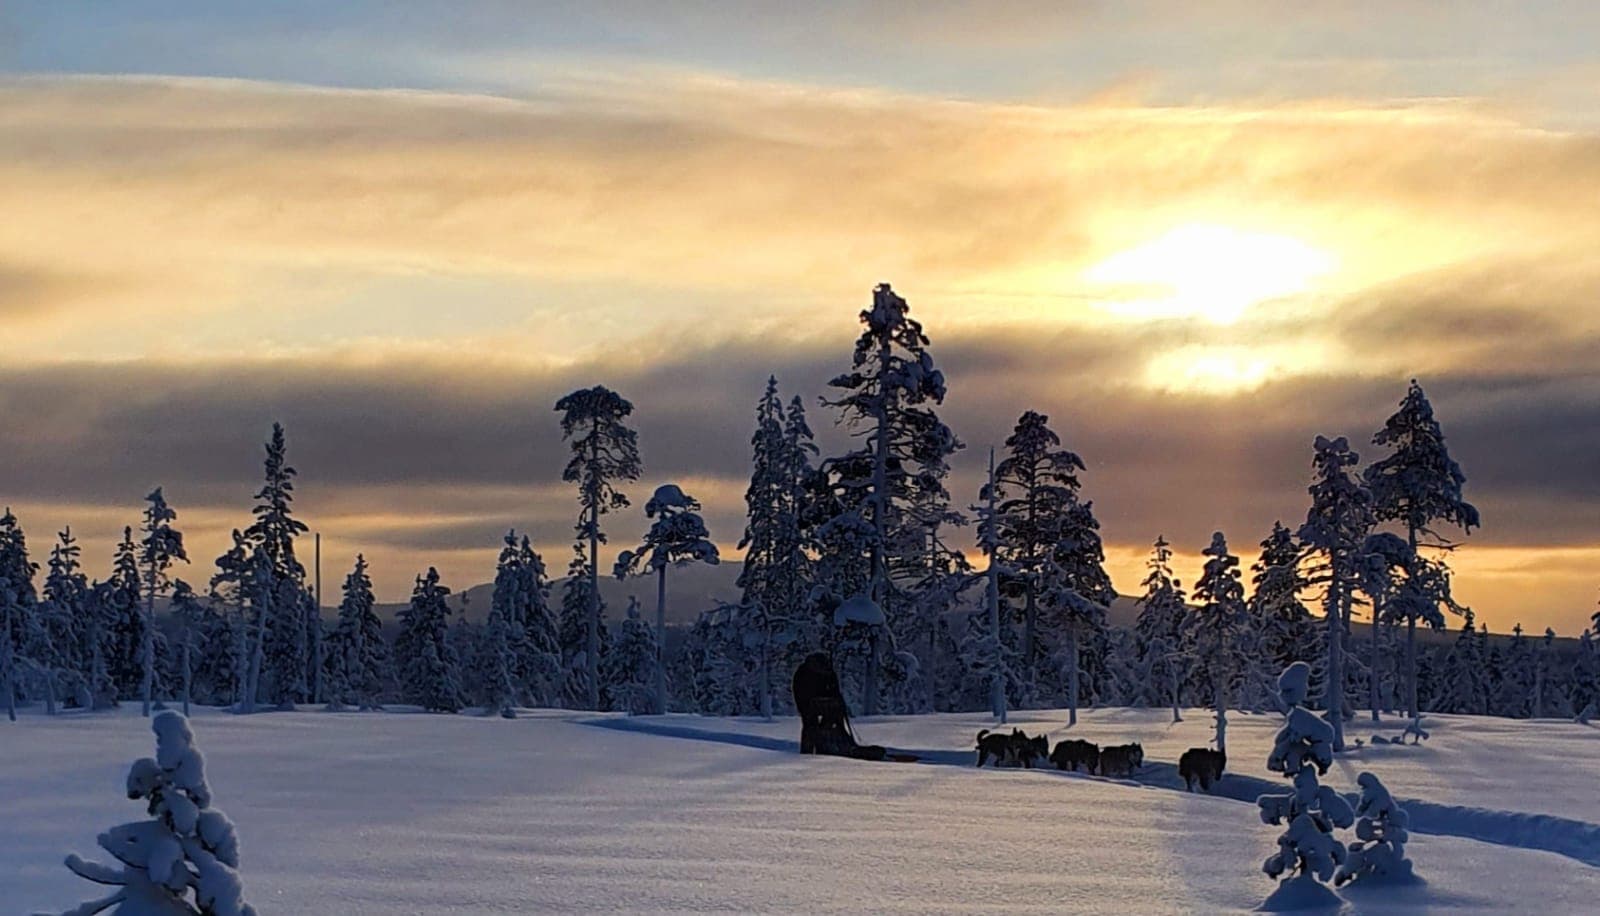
x,y
1217,629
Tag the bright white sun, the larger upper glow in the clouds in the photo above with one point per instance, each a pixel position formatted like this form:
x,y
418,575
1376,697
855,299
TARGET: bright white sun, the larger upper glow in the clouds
x,y
1207,271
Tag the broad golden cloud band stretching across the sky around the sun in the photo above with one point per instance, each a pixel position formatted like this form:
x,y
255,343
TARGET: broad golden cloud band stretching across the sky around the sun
x,y
204,196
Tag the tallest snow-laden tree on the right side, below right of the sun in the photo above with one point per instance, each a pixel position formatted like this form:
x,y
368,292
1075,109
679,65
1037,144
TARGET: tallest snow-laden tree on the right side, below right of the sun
x,y
1420,486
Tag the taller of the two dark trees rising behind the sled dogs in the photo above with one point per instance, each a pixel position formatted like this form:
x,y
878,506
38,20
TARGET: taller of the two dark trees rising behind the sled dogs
x,y
1038,483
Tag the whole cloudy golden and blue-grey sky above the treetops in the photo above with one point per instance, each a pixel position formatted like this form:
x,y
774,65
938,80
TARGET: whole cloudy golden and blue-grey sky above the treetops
x,y
1196,236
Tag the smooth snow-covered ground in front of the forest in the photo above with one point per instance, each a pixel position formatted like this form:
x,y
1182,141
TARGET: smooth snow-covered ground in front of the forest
x,y
367,814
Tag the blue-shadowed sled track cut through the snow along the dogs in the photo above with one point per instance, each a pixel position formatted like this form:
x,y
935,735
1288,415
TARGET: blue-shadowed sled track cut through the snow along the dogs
x,y
1575,840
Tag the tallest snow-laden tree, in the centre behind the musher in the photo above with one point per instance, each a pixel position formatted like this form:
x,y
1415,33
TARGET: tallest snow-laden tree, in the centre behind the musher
x,y
890,488
